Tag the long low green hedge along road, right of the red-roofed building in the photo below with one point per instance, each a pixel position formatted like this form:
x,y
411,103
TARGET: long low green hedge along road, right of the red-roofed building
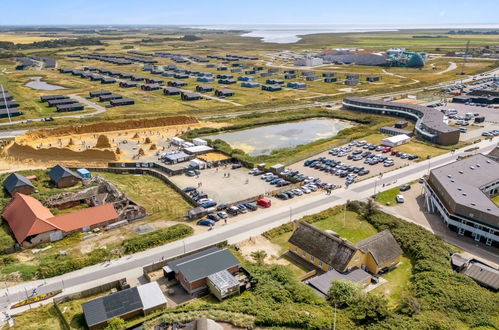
x,y
162,236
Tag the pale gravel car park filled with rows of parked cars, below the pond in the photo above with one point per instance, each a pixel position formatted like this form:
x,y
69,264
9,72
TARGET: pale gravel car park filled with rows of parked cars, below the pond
x,y
328,177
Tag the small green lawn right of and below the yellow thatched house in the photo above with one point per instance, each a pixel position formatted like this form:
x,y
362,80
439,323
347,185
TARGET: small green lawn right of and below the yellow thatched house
x,y
398,280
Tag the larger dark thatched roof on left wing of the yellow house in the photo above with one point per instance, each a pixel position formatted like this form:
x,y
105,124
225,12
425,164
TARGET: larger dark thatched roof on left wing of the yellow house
x,y
332,250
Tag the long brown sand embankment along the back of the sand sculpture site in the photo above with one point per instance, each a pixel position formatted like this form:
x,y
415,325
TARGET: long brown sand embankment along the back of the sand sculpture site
x,y
110,126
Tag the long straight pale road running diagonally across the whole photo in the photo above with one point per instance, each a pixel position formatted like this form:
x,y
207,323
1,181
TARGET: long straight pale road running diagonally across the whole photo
x,y
131,266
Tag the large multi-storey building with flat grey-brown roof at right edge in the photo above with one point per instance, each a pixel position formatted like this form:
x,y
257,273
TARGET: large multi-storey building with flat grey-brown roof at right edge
x,y
461,194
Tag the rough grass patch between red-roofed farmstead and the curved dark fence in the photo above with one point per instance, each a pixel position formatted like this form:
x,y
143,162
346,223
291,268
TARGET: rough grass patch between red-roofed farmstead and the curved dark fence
x,y
158,198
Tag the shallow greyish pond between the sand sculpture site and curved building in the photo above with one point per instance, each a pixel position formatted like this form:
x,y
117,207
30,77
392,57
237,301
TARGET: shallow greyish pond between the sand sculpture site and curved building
x,y
262,140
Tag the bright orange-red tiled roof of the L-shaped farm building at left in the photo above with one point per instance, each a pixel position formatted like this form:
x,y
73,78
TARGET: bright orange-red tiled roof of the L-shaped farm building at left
x,y
26,216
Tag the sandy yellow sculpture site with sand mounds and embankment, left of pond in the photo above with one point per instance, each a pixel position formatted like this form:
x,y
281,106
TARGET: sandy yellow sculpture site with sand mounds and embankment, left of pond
x,y
98,144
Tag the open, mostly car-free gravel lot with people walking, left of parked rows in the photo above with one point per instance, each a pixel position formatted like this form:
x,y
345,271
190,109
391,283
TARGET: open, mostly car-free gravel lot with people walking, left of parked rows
x,y
225,185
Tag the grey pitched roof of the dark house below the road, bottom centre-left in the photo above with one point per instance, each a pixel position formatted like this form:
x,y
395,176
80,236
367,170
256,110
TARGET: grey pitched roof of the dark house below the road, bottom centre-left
x,y
203,264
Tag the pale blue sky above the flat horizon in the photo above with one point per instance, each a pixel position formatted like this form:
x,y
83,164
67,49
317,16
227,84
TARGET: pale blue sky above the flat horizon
x,y
224,12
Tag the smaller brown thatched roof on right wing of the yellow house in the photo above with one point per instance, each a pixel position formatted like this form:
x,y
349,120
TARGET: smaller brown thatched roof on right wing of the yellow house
x,y
382,246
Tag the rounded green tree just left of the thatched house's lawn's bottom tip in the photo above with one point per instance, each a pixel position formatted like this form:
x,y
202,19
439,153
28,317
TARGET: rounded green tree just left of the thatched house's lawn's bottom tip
x,y
370,308
